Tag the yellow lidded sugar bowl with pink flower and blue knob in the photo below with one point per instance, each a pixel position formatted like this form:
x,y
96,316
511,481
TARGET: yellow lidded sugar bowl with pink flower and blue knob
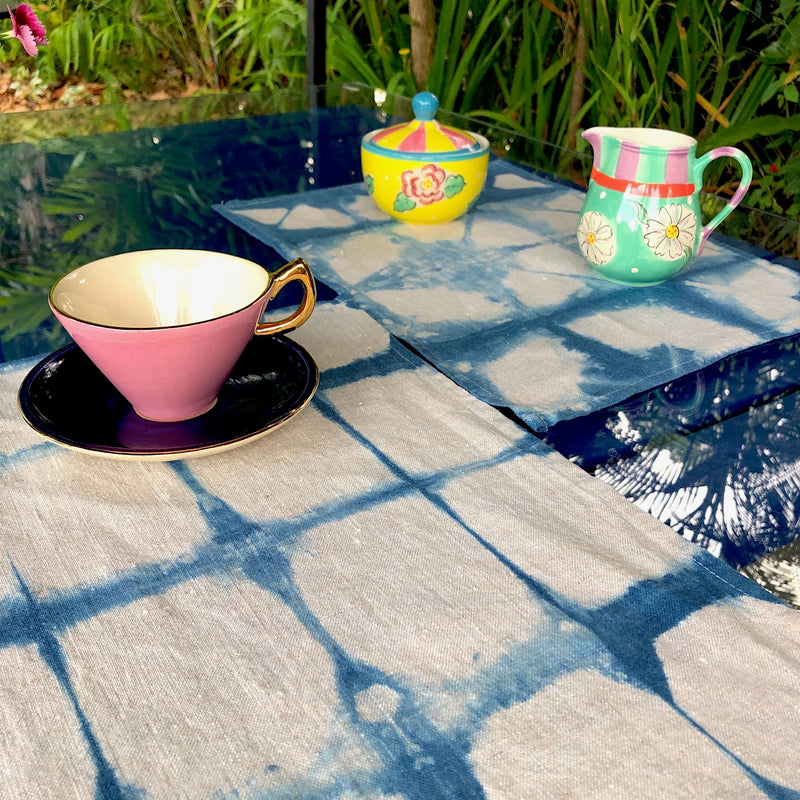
x,y
422,171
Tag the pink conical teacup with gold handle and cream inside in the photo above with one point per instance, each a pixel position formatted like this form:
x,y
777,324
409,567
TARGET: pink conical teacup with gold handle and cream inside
x,y
166,327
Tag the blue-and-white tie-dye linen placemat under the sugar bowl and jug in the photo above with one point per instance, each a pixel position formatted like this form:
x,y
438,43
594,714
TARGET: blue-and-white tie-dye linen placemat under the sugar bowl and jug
x,y
502,301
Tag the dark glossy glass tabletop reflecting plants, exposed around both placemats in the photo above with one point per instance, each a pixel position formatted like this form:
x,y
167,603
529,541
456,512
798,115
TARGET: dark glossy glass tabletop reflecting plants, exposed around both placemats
x,y
711,455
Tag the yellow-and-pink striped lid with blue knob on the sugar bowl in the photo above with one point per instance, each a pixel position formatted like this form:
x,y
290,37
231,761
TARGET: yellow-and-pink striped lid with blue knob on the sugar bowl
x,y
424,135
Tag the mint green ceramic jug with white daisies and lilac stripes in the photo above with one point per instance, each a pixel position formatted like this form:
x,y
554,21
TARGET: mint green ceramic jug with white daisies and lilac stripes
x,y
640,222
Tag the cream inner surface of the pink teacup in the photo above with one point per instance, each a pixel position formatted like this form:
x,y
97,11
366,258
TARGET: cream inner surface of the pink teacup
x,y
159,288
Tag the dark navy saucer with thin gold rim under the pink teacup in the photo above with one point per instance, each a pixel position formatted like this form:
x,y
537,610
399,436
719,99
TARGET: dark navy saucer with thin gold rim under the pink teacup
x,y
69,401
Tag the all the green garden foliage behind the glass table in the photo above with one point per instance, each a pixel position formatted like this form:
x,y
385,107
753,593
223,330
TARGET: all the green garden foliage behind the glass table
x,y
724,71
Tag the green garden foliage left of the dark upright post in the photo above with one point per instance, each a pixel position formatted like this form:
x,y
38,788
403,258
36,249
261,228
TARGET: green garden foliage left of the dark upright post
x,y
131,45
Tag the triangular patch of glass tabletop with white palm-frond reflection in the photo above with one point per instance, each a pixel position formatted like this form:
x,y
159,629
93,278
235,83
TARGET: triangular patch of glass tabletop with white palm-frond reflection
x,y
713,455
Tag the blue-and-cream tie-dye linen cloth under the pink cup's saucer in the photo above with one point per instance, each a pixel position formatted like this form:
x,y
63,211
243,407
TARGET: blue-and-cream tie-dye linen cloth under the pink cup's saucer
x,y
397,594
